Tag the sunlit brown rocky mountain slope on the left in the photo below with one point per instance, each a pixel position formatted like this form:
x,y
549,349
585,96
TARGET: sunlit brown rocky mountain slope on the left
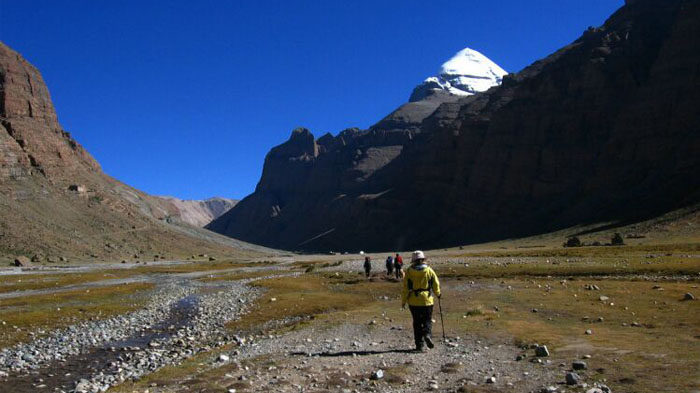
x,y
56,201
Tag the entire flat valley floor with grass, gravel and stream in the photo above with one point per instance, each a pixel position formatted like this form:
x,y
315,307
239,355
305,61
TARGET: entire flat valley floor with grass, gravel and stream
x,y
315,323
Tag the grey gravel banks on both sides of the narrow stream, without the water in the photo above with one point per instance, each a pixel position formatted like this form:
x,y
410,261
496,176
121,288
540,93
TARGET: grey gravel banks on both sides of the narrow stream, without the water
x,y
203,332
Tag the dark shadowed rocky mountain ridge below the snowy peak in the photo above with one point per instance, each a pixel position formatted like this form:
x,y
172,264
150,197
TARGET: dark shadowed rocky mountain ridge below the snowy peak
x,y
605,130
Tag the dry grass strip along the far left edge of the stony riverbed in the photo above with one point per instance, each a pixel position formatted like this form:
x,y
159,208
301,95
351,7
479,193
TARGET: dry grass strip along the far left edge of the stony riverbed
x,y
48,312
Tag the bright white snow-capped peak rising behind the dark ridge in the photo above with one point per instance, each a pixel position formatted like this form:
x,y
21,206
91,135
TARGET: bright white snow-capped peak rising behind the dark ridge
x,y
467,72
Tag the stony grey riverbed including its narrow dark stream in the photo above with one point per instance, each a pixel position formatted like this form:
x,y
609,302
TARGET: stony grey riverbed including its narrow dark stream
x,y
183,317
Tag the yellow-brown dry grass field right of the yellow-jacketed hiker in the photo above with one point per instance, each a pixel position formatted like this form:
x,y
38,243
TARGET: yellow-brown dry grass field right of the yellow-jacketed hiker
x,y
663,352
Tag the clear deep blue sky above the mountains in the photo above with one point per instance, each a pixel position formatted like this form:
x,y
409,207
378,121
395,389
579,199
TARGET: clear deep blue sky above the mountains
x,y
185,98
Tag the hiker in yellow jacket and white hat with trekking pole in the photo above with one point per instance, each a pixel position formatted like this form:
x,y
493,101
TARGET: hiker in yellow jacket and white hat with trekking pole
x,y
418,283
